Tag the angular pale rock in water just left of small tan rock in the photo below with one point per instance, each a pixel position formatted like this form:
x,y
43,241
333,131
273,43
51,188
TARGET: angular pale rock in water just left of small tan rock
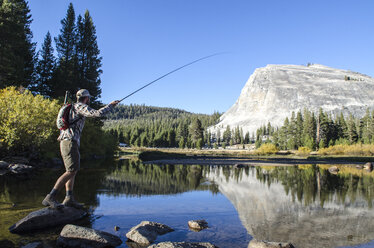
x,y
146,232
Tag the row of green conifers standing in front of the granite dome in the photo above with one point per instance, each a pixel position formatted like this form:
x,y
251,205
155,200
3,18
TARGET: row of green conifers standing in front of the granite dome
x,y
320,130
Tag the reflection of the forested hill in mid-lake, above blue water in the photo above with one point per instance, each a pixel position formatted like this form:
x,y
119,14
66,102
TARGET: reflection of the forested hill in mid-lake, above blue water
x,y
135,178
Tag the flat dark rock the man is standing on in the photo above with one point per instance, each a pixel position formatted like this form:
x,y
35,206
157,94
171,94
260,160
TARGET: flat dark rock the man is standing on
x,y
47,217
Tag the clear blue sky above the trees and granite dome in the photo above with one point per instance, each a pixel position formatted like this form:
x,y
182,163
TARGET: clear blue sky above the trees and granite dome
x,y
141,40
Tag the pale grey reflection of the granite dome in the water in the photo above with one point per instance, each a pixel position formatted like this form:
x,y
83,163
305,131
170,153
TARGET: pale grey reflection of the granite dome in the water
x,y
268,213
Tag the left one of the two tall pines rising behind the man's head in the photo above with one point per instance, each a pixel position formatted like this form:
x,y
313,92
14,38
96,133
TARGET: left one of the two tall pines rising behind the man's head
x,y
65,77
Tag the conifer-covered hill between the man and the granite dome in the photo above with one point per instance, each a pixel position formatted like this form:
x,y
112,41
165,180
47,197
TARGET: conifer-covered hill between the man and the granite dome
x,y
160,127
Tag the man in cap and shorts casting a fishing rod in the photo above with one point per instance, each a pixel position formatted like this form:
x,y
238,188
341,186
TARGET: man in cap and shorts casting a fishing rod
x,y
69,147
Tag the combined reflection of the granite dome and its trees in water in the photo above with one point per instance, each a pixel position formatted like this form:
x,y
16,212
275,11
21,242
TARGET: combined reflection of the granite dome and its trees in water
x,y
305,205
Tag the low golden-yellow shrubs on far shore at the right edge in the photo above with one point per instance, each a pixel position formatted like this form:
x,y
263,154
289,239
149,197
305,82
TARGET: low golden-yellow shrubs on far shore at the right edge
x,y
355,150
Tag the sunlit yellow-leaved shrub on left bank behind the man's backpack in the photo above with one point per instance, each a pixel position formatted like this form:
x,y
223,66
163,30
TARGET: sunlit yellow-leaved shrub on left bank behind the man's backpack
x,y
27,122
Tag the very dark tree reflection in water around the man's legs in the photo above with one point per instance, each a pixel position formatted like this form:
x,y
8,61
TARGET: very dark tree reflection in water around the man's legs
x,y
31,191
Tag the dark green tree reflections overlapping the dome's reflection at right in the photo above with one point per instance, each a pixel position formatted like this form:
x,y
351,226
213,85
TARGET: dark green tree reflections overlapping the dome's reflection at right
x,y
307,183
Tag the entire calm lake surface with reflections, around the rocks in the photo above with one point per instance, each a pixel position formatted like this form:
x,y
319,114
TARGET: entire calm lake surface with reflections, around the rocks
x,y
305,204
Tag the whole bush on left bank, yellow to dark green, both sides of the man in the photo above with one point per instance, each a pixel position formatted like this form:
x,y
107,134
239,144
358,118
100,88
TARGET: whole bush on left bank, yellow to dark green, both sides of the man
x,y
28,126
